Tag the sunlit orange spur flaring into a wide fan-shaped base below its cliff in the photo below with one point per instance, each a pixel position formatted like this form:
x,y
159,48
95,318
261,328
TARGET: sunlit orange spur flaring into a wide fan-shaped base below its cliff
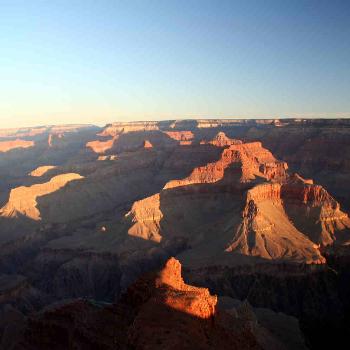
x,y
266,231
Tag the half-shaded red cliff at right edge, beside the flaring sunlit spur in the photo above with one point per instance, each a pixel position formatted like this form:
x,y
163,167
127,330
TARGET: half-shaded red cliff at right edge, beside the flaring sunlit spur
x,y
314,211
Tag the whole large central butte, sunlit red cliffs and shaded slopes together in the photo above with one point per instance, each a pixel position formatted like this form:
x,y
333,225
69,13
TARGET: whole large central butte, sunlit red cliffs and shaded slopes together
x,y
265,228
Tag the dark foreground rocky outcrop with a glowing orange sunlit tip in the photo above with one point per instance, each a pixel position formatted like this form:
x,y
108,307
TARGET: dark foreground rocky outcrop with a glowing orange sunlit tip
x,y
158,311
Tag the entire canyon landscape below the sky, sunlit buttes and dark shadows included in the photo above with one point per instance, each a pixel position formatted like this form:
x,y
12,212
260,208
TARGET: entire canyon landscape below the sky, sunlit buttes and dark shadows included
x,y
255,213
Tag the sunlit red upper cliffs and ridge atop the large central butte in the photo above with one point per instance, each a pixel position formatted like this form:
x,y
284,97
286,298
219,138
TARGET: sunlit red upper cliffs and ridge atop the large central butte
x,y
250,158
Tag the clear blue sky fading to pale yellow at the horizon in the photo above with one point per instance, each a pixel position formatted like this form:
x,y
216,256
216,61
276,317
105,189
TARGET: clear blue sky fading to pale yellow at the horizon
x,y
103,61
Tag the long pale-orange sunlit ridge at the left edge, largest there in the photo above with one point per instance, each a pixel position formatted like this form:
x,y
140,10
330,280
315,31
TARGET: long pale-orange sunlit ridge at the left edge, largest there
x,y
23,200
